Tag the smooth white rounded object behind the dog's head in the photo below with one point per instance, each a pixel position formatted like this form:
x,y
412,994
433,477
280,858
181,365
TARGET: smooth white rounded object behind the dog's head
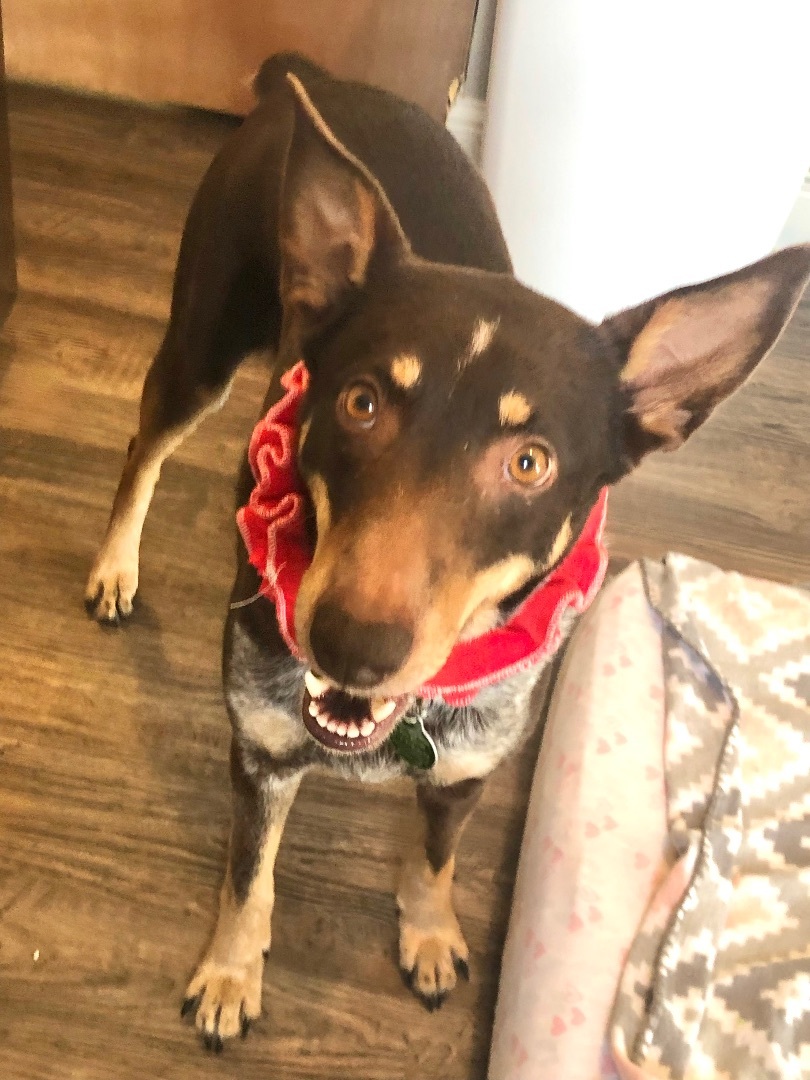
x,y
633,147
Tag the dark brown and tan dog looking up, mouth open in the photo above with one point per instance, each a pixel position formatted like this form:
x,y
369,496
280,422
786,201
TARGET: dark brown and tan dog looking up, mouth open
x,y
455,435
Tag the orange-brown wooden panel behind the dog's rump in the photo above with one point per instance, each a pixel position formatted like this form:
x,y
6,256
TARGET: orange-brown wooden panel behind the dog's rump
x,y
205,52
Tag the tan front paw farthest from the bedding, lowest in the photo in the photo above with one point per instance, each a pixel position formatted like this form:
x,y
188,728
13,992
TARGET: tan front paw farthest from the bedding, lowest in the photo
x,y
224,1001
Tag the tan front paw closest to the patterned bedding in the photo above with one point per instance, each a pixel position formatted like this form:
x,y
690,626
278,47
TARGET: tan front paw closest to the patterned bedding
x,y
431,960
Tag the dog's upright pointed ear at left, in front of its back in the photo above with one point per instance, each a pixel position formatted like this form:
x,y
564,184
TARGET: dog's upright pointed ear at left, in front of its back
x,y
335,221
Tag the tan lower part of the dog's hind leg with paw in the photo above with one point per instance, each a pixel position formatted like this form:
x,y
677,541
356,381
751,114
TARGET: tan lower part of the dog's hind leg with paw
x,y
114,579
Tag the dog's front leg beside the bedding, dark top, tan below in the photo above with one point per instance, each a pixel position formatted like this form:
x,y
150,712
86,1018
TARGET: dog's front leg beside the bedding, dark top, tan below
x,y
433,950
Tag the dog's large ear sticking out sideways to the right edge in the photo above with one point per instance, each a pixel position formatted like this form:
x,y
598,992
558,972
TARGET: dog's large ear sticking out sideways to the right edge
x,y
683,354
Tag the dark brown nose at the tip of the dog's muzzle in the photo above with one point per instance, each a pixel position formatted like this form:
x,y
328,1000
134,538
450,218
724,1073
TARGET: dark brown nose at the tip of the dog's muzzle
x,y
357,654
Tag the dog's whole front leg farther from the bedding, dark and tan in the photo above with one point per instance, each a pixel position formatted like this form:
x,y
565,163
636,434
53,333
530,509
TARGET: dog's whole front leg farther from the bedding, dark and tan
x,y
226,993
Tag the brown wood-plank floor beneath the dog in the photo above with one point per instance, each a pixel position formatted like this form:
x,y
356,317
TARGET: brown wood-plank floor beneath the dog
x,y
114,792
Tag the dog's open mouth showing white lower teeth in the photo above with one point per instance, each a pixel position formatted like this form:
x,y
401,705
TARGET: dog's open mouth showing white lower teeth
x,y
345,723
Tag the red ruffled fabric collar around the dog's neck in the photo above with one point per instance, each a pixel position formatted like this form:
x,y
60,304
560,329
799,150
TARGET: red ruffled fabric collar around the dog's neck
x,y
274,532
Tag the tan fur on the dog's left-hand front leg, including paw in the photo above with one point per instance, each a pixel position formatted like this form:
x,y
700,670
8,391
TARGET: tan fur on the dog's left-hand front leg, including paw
x,y
227,987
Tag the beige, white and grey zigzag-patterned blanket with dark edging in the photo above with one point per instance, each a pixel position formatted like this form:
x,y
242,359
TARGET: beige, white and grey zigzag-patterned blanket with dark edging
x,y
718,982
